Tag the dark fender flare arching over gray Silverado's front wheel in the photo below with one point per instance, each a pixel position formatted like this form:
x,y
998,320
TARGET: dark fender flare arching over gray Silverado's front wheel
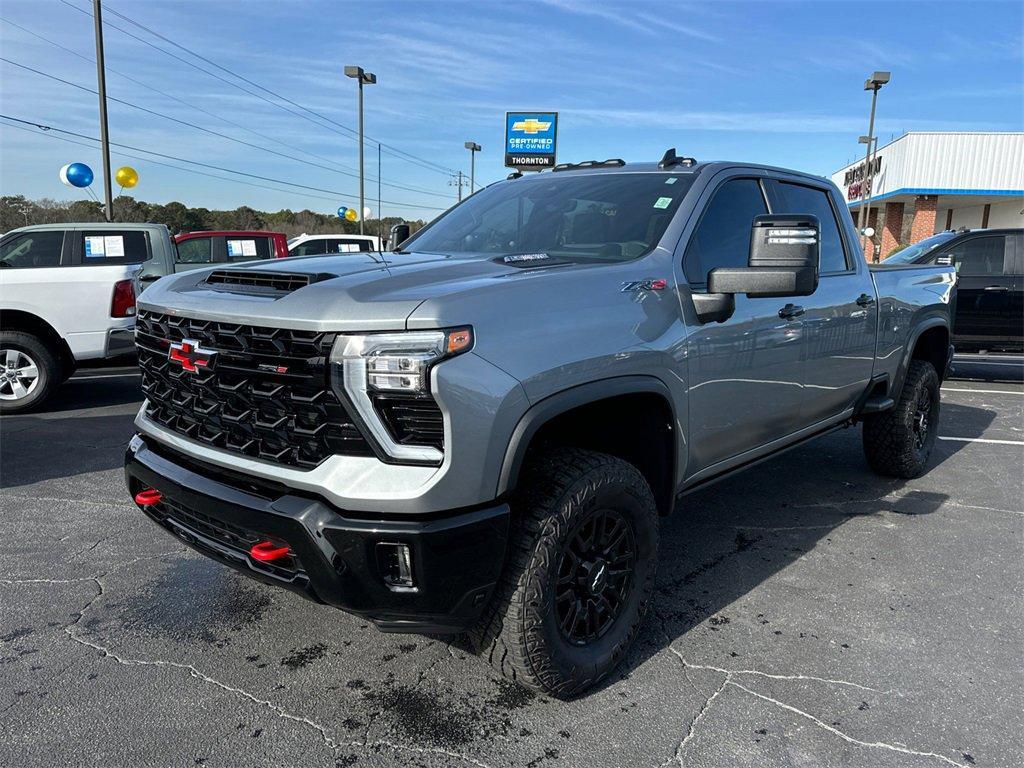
x,y
565,401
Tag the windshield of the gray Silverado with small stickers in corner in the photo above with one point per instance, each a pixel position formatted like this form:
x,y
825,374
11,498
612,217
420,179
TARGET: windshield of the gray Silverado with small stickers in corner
x,y
582,218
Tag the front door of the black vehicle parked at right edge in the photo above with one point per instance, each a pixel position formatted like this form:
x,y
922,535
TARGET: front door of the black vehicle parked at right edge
x,y
985,290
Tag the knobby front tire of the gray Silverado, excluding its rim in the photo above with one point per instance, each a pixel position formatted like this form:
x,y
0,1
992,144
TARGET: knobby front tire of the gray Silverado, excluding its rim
x,y
519,633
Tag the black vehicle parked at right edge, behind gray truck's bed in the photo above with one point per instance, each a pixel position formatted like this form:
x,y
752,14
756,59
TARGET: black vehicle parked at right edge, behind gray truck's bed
x,y
991,290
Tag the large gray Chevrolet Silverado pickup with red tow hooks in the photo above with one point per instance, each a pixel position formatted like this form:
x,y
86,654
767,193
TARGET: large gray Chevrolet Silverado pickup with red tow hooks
x,y
479,433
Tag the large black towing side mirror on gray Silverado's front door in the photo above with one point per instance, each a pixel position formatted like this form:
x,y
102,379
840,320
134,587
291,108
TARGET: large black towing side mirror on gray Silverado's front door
x,y
784,260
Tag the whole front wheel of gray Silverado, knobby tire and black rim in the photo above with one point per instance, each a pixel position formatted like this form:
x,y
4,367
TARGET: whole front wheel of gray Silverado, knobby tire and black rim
x,y
580,573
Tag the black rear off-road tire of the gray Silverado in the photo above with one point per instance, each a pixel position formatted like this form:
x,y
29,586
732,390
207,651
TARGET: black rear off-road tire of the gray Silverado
x,y
892,440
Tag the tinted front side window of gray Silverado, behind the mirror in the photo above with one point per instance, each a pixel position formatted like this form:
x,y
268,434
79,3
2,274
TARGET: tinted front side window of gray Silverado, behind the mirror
x,y
723,236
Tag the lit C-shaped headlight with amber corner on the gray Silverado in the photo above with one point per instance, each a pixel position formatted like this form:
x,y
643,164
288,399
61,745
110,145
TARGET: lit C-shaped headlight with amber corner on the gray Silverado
x,y
376,369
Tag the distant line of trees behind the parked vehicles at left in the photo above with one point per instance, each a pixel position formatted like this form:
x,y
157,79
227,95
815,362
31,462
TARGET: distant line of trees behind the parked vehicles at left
x,y
17,210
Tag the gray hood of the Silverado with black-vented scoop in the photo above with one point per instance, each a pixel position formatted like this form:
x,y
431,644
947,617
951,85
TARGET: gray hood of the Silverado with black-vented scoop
x,y
355,291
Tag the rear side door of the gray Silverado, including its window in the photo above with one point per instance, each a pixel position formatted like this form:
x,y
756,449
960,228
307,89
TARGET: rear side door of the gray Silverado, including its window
x,y
840,317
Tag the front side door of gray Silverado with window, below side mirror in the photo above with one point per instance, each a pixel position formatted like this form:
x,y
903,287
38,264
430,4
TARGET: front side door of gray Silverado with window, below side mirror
x,y
746,374
